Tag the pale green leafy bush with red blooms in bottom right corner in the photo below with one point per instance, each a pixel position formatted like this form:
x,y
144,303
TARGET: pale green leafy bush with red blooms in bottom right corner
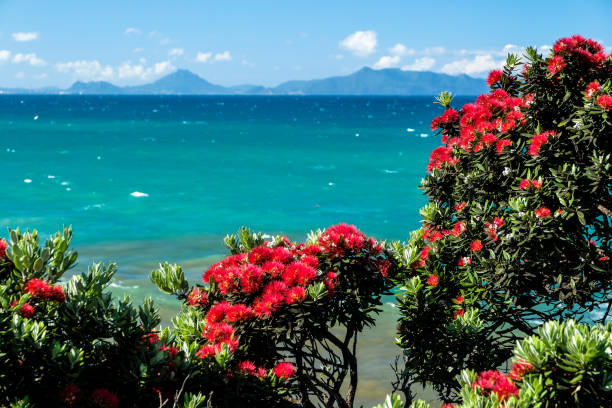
x,y
564,365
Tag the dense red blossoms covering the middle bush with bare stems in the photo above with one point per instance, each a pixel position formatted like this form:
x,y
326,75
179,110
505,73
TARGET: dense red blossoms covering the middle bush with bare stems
x,y
261,282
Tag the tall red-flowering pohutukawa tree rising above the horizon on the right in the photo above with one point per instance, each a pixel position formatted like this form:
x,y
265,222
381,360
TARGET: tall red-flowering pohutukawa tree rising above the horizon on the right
x,y
518,227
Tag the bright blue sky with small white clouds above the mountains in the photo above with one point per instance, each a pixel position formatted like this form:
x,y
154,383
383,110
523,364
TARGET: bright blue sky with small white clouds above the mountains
x,y
54,43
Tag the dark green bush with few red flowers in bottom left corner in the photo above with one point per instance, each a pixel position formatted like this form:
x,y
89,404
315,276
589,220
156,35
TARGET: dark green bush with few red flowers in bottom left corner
x,y
71,344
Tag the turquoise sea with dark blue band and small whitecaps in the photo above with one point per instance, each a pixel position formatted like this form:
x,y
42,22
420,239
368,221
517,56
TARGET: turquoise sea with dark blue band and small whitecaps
x,y
143,179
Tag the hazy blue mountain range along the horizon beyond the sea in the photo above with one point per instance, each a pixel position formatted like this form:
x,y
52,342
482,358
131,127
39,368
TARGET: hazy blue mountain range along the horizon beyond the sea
x,y
366,81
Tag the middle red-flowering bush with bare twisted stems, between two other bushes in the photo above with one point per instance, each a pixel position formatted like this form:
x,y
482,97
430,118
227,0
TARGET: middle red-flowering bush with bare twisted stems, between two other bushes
x,y
283,315
